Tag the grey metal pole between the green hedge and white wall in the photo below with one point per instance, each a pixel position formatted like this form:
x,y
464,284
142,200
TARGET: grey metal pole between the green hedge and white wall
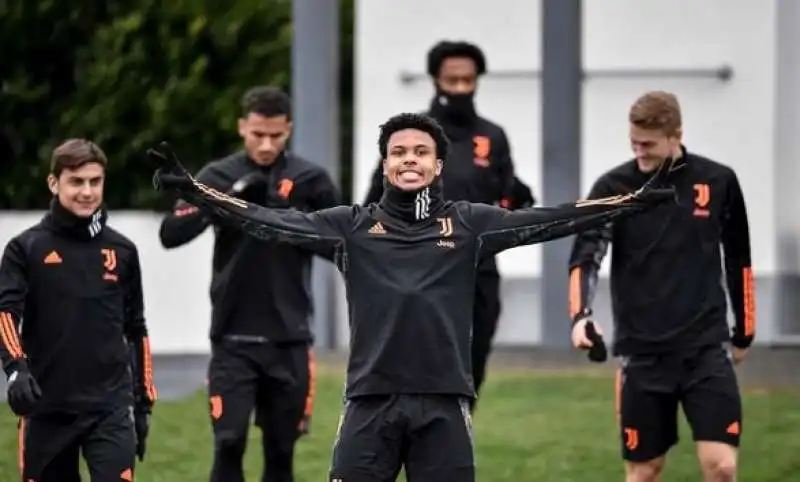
x,y
315,101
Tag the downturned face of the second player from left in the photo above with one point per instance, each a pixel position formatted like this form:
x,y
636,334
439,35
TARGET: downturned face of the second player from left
x,y
264,137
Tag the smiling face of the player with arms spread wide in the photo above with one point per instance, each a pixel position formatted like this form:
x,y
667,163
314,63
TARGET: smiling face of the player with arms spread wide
x,y
411,161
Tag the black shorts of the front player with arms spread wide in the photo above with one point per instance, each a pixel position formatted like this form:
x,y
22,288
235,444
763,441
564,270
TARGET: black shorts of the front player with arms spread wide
x,y
429,435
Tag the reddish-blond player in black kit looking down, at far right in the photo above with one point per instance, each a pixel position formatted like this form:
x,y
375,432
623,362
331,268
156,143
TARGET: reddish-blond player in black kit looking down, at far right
x,y
670,320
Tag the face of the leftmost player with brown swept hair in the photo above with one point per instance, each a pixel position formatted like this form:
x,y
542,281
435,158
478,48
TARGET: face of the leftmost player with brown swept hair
x,y
79,190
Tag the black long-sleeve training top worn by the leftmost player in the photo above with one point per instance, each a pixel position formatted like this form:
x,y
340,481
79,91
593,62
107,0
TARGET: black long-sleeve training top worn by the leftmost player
x,y
71,309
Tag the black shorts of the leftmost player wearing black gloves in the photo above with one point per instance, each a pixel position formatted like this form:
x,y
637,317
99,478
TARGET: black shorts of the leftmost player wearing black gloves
x,y
50,446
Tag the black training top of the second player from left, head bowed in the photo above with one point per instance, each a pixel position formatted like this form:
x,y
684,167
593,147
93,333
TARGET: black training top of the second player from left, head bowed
x,y
258,290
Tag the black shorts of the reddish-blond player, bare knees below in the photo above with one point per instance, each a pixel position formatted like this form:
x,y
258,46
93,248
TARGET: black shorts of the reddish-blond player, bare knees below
x,y
650,388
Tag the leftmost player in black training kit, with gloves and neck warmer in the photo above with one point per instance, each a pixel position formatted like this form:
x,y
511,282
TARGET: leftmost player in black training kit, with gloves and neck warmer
x,y
74,340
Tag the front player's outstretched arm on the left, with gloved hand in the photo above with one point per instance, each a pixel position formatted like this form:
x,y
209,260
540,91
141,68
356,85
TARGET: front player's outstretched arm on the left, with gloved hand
x,y
324,229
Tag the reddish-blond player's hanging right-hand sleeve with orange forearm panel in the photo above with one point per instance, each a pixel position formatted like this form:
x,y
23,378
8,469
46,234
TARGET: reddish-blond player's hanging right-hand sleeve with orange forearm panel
x,y
738,269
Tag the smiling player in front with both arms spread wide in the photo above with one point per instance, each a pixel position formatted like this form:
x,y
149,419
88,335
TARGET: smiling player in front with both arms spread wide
x,y
409,263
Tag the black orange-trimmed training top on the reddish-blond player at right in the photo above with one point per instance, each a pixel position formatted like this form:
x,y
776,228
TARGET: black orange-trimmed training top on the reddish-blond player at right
x,y
667,265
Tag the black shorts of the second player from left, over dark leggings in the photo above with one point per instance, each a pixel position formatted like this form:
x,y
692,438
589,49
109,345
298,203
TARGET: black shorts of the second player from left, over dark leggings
x,y
274,380
